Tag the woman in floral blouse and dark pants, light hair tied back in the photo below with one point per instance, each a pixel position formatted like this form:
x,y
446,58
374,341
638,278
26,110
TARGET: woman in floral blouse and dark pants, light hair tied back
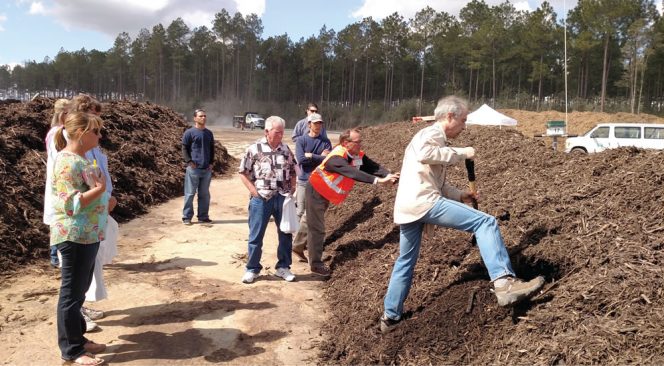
x,y
81,208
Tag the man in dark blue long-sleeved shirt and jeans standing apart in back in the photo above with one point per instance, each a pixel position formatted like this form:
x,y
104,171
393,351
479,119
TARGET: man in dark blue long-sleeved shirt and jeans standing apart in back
x,y
198,153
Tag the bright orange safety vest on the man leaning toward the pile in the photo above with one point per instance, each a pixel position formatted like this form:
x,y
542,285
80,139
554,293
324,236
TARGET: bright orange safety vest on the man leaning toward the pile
x,y
333,186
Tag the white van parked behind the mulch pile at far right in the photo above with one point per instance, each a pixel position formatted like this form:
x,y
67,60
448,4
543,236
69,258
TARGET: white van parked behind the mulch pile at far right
x,y
612,135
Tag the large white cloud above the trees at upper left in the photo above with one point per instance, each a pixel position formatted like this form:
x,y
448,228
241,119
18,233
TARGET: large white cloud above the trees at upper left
x,y
115,16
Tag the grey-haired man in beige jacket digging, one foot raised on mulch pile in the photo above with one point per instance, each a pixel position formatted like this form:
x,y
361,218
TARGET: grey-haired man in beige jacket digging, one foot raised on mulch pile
x,y
423,197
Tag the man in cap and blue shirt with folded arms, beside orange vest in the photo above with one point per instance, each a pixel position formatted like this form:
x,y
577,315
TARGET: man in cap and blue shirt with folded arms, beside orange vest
x,y
310,151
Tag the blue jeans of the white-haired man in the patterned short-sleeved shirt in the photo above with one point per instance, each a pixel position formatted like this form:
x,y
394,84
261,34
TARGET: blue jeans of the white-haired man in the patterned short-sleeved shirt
x,y
260,211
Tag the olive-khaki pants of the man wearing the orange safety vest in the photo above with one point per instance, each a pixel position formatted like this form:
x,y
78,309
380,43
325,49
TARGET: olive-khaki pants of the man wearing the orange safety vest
x,y
315,221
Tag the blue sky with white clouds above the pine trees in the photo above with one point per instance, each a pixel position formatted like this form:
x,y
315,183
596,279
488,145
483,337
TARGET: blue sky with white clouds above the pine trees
x,y
34,29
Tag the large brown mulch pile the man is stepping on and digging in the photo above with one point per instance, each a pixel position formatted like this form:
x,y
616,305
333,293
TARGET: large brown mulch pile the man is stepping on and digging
x,y
592,225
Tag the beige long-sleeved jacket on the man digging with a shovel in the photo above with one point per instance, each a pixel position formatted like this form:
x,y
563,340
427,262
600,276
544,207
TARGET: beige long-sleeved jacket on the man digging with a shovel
x,y
422,181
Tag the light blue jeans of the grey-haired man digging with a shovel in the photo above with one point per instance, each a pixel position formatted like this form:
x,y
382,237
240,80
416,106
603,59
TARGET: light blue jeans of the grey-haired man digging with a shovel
x,y
451,214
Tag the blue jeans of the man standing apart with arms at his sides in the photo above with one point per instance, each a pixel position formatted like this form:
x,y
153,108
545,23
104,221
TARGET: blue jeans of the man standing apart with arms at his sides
x,y
197,180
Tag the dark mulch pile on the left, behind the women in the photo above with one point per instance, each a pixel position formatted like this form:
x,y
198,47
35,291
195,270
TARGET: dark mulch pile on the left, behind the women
x,y
143,144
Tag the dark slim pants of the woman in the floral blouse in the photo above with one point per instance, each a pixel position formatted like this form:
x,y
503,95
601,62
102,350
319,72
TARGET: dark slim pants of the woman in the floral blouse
x,y
78,263
